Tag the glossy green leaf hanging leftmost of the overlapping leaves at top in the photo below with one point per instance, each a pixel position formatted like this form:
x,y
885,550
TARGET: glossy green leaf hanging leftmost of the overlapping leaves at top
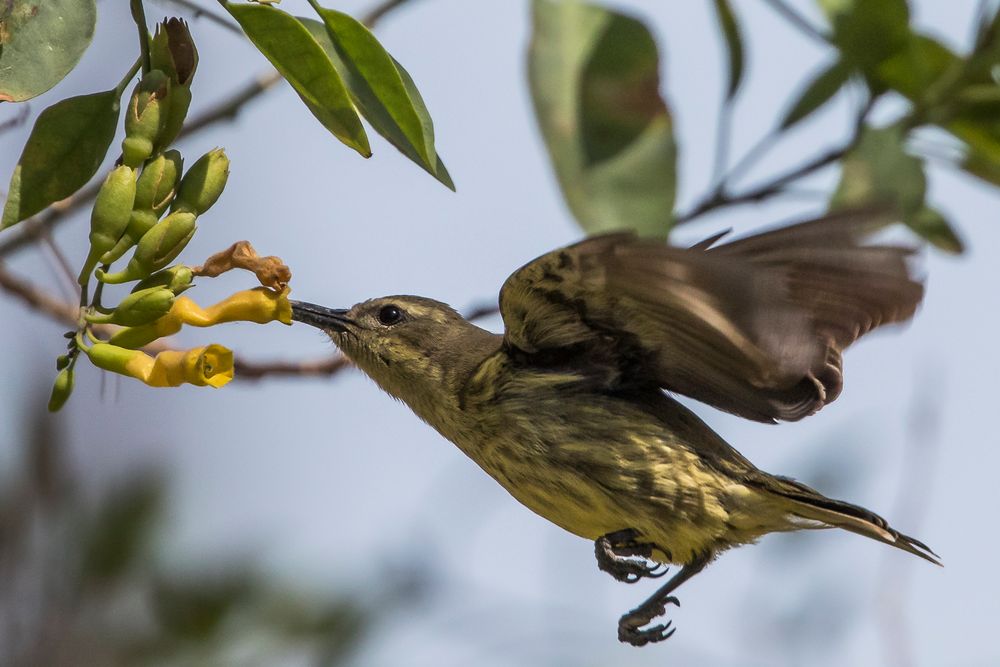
x,y
301,60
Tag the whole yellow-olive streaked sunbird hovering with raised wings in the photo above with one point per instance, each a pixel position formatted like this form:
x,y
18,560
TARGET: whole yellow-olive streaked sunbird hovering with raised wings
x,y
570,410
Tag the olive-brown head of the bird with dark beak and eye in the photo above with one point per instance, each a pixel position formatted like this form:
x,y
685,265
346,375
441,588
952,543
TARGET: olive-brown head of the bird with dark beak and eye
x,y
411,346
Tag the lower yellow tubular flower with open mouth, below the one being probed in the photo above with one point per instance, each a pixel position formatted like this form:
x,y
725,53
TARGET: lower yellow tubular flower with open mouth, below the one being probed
x,y
202,366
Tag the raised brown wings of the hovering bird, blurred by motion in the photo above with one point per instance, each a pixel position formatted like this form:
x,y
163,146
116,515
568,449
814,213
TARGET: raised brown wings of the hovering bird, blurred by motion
x,y
754,327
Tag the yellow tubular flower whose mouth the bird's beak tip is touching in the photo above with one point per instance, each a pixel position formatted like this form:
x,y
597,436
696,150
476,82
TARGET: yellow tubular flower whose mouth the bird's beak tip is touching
x,y
260,305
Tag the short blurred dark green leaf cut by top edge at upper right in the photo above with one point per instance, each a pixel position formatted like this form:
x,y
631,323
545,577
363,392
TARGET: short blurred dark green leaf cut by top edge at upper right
x,y
868,31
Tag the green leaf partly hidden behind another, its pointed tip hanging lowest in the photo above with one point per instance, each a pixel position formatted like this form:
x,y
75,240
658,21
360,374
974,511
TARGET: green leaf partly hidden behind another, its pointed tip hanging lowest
x,y
375,111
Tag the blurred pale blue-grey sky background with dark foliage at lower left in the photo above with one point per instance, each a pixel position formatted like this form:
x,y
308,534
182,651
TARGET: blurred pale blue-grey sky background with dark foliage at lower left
x,y
301,521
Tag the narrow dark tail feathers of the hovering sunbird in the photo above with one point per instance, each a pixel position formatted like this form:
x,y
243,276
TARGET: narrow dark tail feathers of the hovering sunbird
x,y
811,505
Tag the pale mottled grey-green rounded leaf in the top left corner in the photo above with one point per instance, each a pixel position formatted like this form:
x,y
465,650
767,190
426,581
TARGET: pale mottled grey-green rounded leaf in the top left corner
x,y
40,43
